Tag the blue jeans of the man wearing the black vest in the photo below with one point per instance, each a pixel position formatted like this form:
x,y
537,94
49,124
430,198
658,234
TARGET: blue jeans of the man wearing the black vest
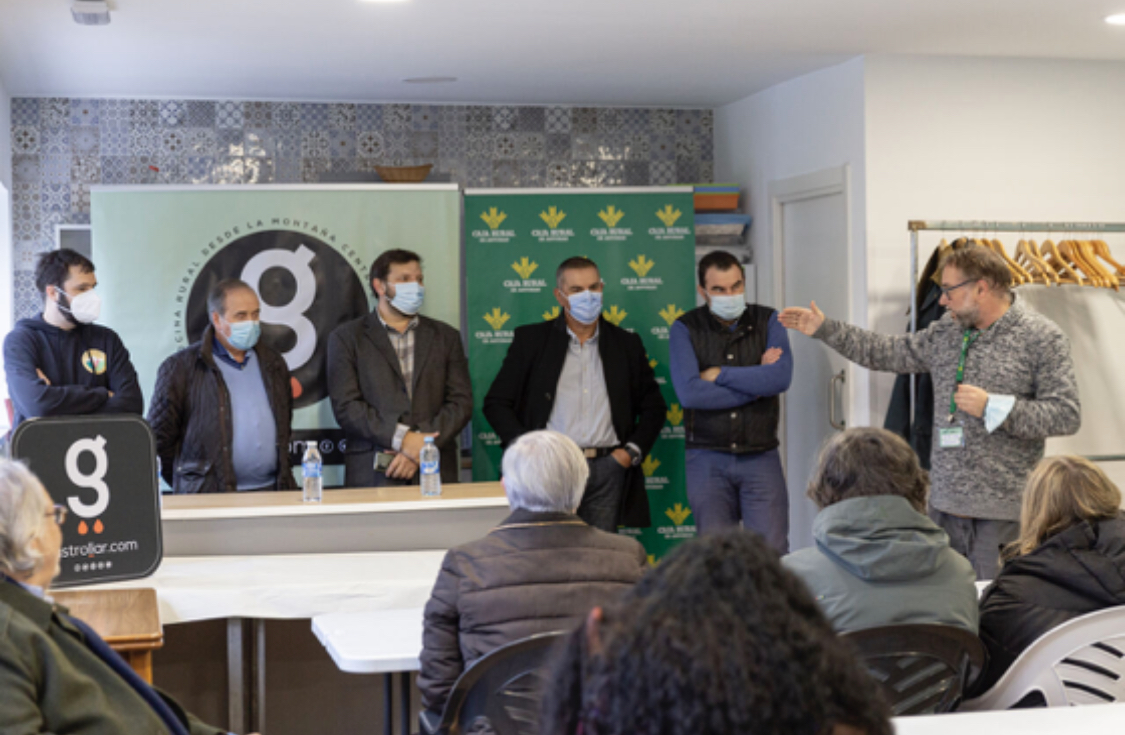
x,y
725,489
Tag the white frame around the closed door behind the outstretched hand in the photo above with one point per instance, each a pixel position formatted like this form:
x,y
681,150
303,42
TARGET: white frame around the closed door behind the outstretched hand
x,y
830,182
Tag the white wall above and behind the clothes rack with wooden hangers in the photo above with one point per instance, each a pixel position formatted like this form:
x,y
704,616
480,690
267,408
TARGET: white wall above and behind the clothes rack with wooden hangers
x,y
988,139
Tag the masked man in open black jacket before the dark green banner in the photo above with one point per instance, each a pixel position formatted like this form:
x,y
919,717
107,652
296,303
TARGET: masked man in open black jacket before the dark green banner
x,y
584,378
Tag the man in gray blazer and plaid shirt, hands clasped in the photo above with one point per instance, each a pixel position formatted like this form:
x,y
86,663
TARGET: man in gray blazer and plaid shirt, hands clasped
x,y
397,378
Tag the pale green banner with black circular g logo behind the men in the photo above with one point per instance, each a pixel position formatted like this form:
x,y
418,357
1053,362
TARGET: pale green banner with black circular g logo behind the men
x,y
305,250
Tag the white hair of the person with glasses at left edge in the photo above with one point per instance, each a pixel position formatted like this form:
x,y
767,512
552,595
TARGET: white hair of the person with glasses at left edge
x,y
23,508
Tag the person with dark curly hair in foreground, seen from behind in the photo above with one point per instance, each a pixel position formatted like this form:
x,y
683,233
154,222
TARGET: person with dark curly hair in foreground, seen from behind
x,y
718,640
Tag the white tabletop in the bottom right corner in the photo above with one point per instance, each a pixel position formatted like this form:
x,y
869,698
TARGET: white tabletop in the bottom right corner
x,y
1093,720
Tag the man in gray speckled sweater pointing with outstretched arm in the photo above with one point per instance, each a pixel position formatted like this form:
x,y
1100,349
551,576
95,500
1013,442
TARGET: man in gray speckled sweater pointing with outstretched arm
x,y
1004,382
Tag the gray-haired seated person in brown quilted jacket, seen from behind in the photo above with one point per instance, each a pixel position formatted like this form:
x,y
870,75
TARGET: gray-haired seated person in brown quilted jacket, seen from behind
x,y
542,570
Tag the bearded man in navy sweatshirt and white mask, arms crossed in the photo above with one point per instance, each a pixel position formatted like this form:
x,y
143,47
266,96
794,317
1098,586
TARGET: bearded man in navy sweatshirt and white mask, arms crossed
x,y
60,363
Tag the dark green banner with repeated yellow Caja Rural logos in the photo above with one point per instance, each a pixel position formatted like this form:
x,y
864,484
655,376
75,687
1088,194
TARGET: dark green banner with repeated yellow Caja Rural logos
x,y
644,244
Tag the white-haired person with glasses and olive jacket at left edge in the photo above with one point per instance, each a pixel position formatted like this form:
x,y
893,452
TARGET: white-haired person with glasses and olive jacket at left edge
x,y
57,676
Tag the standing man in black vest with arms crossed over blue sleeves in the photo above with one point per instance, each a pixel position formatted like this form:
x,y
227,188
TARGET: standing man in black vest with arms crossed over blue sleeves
x,y
731,362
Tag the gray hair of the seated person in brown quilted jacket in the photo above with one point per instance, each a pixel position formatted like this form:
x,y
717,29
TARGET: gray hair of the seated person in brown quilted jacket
x,y
545,472
